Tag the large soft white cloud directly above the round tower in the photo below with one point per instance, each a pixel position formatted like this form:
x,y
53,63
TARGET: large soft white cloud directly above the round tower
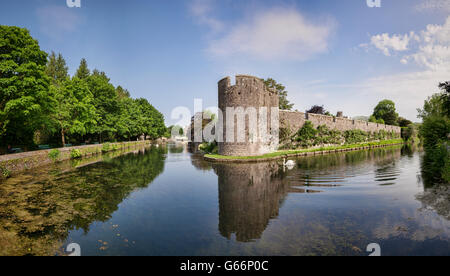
x,y
274,34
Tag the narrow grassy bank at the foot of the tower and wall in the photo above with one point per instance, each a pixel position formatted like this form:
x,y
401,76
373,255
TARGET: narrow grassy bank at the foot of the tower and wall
x,y
291,153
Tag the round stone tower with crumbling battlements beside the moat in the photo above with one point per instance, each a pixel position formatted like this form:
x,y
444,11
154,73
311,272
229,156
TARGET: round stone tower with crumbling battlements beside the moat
x,y
249,93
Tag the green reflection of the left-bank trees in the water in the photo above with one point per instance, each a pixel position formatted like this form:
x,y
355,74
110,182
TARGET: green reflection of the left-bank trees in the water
x,y
39,208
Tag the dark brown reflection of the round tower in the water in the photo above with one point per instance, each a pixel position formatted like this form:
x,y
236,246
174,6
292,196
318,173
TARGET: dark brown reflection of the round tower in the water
x,y
250,195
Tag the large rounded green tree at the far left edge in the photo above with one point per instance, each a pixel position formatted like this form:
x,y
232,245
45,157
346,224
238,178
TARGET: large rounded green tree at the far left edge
x,y
25,101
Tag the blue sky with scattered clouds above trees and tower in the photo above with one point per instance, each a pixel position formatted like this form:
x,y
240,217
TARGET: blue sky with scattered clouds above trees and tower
x,y
341,54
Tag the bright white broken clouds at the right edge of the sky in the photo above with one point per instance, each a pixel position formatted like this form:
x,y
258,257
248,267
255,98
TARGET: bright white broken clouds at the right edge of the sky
x,y
428,50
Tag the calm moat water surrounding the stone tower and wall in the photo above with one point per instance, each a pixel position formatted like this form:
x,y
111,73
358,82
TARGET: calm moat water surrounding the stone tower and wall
x,y
165,201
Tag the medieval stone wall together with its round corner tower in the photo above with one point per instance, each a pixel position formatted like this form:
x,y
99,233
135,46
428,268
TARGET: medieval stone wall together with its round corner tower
x,y
251,92
